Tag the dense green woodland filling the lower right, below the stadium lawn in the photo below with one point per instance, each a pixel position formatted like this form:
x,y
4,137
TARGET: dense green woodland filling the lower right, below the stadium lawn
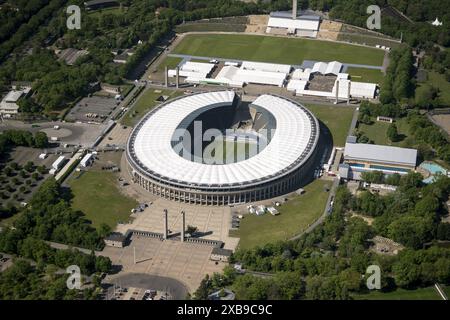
x,y
329,262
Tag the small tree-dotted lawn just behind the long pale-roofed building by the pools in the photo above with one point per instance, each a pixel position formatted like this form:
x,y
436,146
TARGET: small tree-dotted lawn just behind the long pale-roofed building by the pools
x,y
377,131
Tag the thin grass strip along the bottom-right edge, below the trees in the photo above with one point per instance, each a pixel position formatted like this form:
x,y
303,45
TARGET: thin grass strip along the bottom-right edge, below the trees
x,y
429,293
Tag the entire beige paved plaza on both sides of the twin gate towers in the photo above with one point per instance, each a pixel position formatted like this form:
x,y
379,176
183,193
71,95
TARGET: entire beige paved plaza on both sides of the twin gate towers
x,y
182,261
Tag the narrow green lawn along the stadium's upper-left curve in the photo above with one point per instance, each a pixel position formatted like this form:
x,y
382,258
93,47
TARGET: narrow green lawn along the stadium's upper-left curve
x,y
146,102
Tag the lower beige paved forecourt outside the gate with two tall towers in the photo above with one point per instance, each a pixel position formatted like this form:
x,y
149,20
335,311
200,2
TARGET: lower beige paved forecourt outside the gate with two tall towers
x,y
171,266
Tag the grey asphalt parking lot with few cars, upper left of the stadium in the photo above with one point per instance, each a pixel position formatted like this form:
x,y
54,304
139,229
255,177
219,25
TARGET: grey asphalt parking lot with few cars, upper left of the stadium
x,y
93,109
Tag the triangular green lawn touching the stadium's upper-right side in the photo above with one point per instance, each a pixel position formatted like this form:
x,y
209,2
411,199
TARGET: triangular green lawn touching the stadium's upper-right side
x,y
337,119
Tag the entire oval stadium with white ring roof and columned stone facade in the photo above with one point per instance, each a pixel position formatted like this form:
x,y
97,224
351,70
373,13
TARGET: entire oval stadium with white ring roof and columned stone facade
x,y
280,164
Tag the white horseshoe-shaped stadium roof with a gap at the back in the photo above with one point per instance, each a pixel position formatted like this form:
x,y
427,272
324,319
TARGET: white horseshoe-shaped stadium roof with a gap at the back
x,y
150,148
